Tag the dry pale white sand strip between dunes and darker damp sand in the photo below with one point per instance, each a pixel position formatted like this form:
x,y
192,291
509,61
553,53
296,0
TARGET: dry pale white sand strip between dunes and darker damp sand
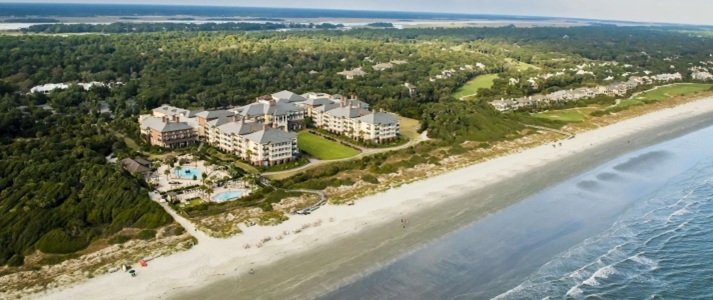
x,y
214,258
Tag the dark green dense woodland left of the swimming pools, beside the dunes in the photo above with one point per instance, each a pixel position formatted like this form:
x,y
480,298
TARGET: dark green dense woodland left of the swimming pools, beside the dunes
x,y
58,192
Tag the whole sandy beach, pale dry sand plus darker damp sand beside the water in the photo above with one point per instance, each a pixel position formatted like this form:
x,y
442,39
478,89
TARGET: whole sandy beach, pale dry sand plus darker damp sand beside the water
x,y
299,262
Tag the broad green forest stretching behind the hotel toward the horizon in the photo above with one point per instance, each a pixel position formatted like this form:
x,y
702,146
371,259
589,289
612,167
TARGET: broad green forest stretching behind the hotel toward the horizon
x,y
214,69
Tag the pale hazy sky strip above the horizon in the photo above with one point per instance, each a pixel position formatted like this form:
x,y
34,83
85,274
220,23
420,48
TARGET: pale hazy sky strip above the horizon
x,y
666,11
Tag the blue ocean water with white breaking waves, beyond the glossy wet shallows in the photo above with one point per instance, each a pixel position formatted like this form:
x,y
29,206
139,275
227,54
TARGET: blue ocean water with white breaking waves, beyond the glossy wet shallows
x,y
658,249
